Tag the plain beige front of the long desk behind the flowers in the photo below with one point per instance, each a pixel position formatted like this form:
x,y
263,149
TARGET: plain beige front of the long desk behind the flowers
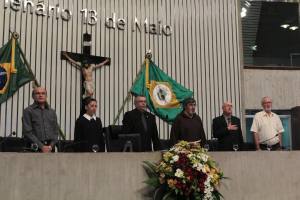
x,y
120,176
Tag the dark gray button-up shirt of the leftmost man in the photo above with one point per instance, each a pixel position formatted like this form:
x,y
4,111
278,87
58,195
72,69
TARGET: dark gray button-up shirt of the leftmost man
x,y
40,124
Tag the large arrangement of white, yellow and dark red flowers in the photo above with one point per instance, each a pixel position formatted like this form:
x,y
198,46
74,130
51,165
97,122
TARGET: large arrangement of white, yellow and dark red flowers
x,y
186,172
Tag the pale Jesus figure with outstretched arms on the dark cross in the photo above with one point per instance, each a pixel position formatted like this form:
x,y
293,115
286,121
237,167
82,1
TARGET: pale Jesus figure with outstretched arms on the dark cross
x,y
87,72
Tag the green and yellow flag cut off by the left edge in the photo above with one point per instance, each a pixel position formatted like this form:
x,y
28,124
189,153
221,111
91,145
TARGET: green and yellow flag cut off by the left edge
x,y
13,71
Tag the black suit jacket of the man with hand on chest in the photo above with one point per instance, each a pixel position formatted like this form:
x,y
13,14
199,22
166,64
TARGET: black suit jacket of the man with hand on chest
x,y
225,137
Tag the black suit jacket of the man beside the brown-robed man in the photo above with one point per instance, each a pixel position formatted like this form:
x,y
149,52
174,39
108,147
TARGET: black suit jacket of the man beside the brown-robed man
x,y
132,123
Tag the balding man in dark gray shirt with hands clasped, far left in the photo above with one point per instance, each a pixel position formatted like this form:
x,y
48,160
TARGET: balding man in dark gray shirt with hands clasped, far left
x,y
40,122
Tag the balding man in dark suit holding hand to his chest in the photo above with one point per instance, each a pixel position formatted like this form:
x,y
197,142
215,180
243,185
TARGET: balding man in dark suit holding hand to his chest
x,y
227,129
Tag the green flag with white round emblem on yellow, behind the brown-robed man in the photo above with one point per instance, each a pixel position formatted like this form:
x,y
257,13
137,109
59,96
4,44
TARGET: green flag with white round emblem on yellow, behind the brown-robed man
x,y
164,95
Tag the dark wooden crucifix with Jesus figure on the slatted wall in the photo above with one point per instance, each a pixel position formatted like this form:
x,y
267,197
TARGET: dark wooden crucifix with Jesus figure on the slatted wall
x,y
86,63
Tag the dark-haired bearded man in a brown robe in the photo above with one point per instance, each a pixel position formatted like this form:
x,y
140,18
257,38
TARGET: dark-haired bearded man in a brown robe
x,y
188,125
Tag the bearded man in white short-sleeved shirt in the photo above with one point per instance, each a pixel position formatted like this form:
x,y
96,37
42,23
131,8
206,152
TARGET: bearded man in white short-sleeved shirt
x,y
267,127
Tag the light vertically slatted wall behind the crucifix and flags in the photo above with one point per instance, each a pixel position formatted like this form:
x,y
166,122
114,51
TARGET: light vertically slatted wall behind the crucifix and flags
x,y
202,53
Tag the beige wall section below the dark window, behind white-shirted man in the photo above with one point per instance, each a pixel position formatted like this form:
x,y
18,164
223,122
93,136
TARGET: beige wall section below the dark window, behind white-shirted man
x,y
281,85
